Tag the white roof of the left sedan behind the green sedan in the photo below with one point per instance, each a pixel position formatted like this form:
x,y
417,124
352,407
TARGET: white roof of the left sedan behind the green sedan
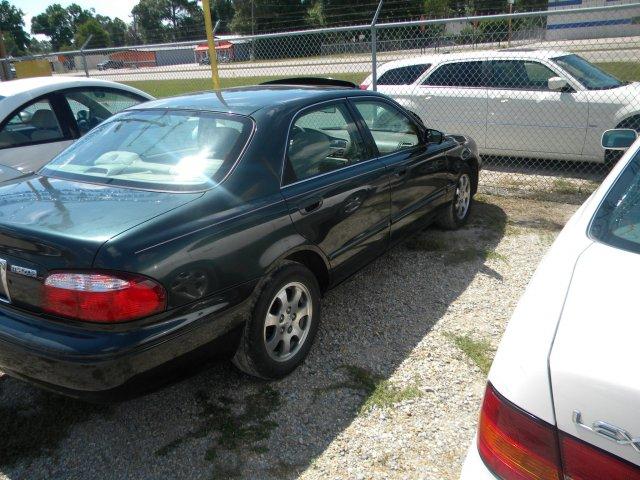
x,y
43,85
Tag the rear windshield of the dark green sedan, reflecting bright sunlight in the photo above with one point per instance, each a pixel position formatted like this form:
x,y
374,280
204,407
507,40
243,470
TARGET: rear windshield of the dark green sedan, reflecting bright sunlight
x,y
159,149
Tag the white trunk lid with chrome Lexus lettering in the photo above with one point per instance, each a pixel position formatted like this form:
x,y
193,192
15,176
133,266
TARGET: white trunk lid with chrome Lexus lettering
x,y
592,362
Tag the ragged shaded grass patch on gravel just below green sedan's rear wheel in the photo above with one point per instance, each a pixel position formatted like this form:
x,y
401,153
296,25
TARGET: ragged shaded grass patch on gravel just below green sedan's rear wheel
x,y
234,425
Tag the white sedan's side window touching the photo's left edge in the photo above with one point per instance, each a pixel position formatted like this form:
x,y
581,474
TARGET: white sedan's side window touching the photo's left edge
x,y
34,123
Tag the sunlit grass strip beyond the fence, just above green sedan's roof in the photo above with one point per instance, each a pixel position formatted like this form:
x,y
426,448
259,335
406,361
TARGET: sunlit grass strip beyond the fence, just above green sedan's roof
x,y
168,88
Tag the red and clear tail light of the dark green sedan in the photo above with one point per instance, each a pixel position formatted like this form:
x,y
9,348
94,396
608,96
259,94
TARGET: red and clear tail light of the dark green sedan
x,y
102,297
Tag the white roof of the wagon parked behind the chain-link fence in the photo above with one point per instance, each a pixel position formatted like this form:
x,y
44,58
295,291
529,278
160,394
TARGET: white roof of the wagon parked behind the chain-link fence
x,y
508,53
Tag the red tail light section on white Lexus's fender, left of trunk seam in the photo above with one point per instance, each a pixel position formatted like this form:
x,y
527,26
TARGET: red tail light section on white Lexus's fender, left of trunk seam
x,y
515,444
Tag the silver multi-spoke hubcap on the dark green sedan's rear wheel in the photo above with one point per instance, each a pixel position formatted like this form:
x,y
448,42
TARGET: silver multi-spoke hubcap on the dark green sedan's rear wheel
x,y
288,321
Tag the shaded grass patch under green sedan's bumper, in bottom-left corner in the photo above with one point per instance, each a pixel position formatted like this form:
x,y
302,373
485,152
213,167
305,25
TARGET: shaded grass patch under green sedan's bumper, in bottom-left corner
x,y
30,430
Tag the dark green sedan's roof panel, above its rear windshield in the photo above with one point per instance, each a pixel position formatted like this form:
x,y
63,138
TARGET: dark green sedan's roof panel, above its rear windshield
x,y
248,100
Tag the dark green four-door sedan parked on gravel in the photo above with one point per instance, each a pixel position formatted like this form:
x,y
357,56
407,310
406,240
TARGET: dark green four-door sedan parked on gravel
x,y
207,220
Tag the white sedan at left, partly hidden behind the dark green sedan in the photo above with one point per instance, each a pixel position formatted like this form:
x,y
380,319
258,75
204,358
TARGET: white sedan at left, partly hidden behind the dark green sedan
x,y
39,117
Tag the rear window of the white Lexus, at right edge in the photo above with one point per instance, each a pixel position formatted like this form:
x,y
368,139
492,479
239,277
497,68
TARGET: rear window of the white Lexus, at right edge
x,y
617,221
